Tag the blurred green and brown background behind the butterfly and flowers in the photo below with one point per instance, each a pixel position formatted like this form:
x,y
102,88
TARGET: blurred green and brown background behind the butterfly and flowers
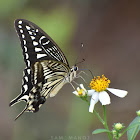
x,y
110,31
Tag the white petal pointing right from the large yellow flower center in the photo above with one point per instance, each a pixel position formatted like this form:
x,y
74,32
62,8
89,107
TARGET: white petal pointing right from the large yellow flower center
x,y
118,92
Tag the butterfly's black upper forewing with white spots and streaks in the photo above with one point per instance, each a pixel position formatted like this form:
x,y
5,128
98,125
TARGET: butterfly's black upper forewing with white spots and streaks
x,y
36,44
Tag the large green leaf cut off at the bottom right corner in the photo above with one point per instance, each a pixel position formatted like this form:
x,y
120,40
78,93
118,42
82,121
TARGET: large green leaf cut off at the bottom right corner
x,y
135,124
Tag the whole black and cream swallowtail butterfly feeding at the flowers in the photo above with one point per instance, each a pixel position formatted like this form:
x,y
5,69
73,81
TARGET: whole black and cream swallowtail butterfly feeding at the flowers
x,y
47,69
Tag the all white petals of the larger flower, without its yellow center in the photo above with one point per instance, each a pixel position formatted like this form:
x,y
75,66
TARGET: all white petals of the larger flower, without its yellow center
x,y
103,96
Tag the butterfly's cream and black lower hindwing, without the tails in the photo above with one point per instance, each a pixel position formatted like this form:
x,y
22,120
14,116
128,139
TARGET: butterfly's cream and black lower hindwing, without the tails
x,y
48,80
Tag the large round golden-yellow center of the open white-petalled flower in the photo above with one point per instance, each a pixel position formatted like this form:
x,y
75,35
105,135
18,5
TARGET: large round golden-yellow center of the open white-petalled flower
x,y
99,83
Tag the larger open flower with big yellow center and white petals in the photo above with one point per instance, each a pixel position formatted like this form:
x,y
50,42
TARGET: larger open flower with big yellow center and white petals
x,y
99,87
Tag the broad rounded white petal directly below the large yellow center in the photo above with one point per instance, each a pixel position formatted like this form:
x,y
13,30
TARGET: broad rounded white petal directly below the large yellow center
x,y
104,98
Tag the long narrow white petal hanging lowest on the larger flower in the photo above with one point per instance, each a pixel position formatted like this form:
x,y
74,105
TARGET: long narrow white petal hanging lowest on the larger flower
x,y
93,101
